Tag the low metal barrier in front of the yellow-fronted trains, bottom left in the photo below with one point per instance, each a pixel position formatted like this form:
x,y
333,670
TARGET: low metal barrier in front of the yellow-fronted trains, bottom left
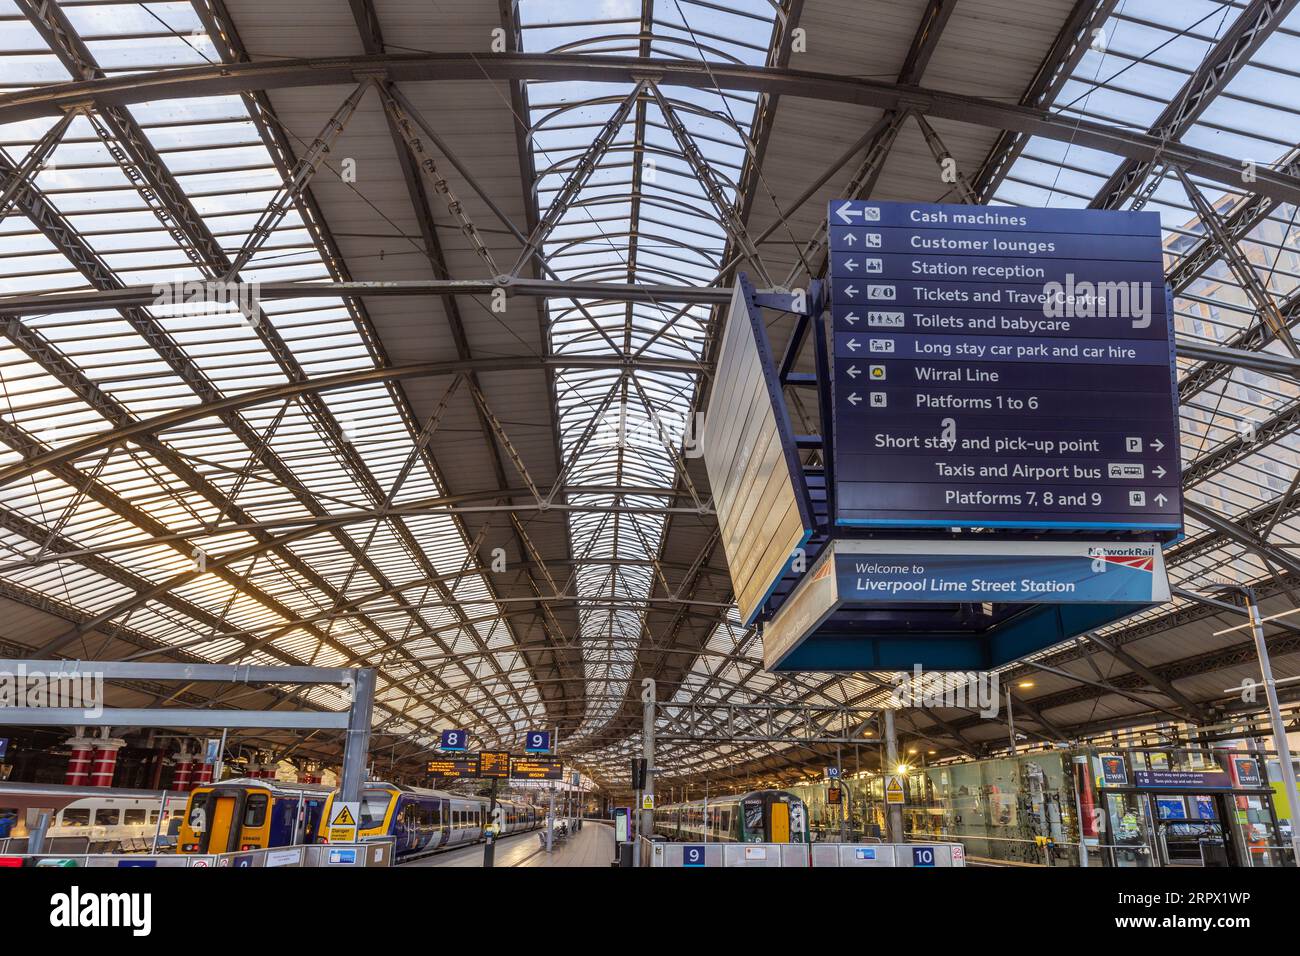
x,y
372,854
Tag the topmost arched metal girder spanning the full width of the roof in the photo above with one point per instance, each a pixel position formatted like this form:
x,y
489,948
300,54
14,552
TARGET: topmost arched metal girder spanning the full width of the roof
x,y
272,75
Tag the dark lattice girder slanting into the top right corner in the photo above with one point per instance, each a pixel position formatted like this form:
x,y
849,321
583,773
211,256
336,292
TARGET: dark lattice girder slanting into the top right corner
x,y
1229,54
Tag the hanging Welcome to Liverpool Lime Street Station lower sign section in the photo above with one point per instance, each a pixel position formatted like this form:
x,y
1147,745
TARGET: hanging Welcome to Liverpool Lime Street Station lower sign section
x,y
1017,596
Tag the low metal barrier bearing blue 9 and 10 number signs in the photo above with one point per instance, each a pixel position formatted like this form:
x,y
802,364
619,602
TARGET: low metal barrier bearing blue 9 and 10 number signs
x,y
799,855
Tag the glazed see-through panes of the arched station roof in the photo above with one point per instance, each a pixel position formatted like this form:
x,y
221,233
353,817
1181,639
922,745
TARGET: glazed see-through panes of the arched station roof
x,y
219,539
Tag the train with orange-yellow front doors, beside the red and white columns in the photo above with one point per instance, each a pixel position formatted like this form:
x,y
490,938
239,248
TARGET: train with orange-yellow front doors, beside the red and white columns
x,y
252,814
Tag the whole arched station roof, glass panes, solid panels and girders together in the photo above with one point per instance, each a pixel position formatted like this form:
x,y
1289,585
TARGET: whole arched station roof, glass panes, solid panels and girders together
x,y
488,494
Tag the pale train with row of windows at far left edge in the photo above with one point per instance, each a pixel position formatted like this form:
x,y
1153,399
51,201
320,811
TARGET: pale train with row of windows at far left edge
x,y
109,819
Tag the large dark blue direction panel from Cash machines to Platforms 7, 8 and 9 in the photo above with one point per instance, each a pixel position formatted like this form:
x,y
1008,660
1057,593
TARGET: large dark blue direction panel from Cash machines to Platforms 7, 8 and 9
x,y
1002,367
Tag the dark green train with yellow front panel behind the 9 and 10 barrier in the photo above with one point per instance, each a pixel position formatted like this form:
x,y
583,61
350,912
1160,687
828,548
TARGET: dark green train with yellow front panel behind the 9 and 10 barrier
x,y
762,816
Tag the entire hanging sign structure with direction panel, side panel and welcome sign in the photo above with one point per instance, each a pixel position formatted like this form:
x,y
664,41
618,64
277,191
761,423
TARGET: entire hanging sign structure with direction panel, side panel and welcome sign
x,y
999,458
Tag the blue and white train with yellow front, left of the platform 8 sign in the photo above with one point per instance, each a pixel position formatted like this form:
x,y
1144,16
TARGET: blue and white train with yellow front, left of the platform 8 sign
x,y
424,821
